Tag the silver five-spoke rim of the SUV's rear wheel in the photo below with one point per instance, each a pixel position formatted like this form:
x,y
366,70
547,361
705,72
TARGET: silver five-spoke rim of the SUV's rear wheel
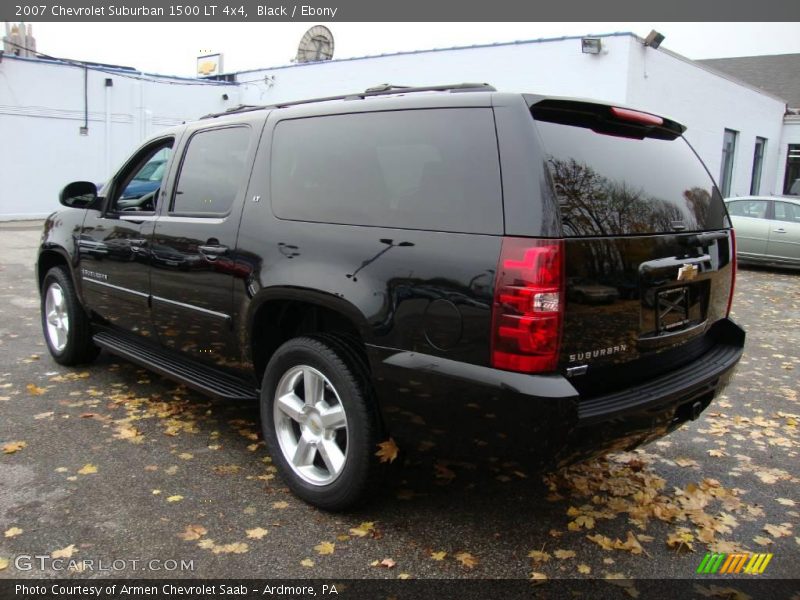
x,y
310,425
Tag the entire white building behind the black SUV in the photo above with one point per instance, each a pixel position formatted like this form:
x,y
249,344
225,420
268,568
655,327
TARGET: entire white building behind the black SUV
x,y
730,123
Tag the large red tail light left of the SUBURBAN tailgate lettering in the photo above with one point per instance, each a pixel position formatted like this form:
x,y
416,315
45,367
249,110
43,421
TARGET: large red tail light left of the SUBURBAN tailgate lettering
x,y
528,305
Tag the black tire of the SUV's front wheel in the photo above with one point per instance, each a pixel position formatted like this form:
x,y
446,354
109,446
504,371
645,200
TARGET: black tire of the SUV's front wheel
x,y
78,347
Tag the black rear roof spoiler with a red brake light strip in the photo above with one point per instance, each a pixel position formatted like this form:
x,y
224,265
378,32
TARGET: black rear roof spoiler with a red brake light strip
x,y
604,118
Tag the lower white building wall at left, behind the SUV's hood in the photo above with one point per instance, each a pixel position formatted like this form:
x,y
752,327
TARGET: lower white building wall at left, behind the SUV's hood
x,y
42,110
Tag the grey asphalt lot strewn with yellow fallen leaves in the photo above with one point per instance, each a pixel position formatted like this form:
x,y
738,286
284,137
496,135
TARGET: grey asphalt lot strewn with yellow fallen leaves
x,y
111,464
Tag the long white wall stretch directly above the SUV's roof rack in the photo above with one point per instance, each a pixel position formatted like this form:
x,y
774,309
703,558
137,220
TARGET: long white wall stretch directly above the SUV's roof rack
x,y
554,67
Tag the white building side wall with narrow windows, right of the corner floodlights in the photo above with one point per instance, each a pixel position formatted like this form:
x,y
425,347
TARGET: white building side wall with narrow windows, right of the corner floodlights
x,y
708,103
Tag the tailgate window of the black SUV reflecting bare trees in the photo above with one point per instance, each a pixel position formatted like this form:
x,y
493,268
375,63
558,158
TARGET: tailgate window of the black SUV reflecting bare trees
x,y
622,182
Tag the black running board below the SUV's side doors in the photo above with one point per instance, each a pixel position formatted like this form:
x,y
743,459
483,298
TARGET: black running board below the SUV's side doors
x,y
197,376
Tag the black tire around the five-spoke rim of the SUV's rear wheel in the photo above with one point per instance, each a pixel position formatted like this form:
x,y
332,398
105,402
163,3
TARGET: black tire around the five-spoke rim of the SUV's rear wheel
x,y
353,391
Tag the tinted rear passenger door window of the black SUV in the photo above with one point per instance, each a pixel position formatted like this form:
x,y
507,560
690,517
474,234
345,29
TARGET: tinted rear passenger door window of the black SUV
x,y
212,172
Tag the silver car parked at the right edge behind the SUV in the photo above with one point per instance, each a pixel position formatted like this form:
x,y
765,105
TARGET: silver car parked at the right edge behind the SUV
x,y
767,229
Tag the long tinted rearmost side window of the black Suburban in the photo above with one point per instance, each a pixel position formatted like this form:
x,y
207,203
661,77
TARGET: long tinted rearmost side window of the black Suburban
x,y
423,169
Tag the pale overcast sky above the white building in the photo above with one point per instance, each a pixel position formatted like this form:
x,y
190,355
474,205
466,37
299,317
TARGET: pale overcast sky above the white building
x,y
173,48
